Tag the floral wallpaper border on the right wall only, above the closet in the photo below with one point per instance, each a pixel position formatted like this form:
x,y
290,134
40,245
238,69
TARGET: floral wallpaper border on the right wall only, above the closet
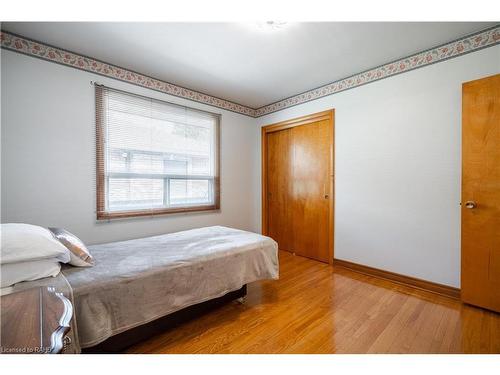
x,y
480,40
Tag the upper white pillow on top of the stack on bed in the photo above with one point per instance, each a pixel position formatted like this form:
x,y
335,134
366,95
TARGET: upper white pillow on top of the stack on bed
x,y
25,242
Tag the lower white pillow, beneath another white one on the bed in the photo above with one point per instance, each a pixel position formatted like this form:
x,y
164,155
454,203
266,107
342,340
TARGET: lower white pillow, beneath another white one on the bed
x,y
14,273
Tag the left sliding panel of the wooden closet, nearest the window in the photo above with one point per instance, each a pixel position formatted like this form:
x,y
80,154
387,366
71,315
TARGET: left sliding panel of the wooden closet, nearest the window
x,y
278,188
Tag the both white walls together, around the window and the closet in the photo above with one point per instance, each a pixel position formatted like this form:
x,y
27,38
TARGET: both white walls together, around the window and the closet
x,y
397,162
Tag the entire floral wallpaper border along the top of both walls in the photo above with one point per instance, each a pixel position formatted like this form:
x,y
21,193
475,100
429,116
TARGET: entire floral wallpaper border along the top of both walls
x,y
477,41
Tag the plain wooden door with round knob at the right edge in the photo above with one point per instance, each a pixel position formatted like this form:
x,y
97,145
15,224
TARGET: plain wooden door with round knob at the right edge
x,y
481,193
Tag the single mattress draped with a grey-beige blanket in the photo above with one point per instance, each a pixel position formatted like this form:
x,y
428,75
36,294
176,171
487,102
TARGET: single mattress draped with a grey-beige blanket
x,y
134,282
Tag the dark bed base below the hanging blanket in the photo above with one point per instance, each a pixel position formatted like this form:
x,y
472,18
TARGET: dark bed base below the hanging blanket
x,y
117,343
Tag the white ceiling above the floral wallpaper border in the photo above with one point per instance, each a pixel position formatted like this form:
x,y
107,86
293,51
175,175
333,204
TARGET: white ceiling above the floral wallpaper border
x,y
240,62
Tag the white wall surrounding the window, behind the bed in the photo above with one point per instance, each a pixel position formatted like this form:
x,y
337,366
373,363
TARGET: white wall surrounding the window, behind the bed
x,y
48,156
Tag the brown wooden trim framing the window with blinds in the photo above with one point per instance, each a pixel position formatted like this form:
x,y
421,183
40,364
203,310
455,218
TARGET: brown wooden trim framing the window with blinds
x,y
101,212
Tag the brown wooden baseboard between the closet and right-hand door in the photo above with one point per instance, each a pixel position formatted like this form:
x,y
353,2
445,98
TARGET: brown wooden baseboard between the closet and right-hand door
x,y
413,282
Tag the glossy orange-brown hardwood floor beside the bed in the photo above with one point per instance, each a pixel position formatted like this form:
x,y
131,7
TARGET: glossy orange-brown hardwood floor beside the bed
x,y
317,308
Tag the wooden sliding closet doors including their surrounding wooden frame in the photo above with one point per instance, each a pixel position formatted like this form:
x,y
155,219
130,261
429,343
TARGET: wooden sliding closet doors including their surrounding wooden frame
x,y
297,158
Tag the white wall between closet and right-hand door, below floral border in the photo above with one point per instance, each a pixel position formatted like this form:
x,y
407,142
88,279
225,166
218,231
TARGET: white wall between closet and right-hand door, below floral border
x,y
398,162
